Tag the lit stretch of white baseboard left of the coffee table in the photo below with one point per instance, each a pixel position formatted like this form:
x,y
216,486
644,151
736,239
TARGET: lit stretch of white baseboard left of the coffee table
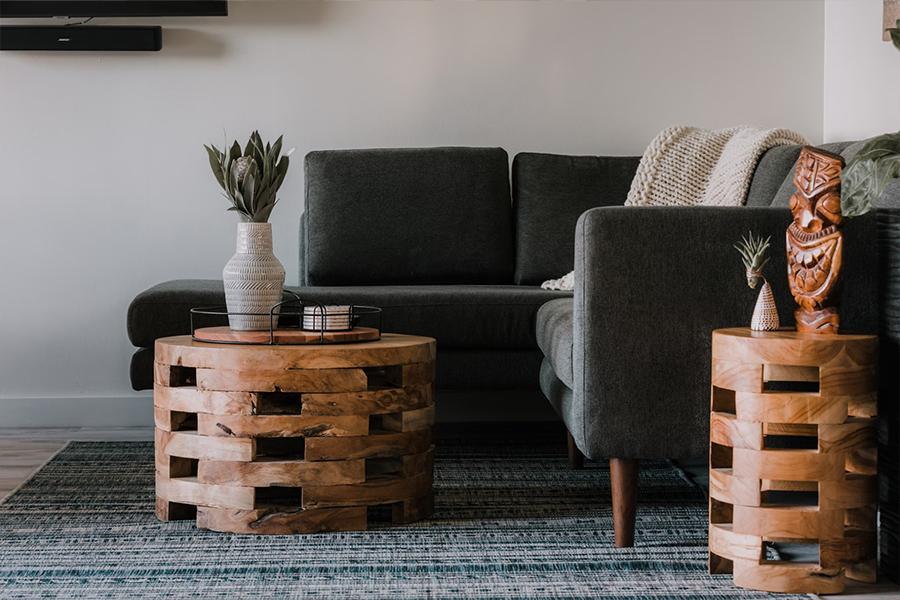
x,y
115,411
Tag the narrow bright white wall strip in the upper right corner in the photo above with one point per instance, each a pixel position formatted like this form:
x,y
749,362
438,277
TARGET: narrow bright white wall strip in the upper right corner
x,y
862,72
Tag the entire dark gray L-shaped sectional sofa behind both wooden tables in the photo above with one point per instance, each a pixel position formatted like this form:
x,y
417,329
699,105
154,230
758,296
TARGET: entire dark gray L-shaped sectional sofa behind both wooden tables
x,y
451,246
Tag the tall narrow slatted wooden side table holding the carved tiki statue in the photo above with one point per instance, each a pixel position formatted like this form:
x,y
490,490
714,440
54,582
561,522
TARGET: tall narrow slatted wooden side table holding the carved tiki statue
x,y
793,457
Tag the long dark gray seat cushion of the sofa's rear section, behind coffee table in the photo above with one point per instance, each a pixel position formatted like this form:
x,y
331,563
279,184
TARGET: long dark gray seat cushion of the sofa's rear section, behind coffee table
x,y
458,316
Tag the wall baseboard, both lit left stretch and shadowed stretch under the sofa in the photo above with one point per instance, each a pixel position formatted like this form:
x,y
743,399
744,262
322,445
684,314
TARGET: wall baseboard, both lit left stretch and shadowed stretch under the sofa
x,y
137,410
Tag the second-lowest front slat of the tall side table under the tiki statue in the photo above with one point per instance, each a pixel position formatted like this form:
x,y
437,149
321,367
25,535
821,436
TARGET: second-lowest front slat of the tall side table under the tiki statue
x,y
788,521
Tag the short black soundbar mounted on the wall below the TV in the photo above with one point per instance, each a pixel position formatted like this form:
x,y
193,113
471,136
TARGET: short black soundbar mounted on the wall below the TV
x,y
34,37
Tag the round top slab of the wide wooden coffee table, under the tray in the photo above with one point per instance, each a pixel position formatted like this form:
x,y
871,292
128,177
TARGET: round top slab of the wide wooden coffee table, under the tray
x,y
391,349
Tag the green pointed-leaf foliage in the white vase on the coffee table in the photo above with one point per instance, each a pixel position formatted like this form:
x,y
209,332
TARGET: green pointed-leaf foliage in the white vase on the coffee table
x,y
251,178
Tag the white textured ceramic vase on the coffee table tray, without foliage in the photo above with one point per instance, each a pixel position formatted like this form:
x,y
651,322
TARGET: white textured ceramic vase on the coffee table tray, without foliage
x,y
254,279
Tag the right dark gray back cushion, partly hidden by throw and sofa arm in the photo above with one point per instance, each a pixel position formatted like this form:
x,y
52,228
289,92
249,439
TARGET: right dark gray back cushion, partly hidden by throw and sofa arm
x,y
550,192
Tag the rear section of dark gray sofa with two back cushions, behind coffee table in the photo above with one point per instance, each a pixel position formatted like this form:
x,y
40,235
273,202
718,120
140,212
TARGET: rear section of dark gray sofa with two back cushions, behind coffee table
x,y
440,240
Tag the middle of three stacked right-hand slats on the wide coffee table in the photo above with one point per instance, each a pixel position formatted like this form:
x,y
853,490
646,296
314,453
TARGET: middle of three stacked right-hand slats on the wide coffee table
x,y
375,445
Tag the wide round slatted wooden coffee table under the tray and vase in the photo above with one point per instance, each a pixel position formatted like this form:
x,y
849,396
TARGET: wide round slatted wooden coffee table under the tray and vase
x,y
293,439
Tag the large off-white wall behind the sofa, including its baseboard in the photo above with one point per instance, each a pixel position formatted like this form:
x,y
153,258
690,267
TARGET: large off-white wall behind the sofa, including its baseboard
x,y
105,187
